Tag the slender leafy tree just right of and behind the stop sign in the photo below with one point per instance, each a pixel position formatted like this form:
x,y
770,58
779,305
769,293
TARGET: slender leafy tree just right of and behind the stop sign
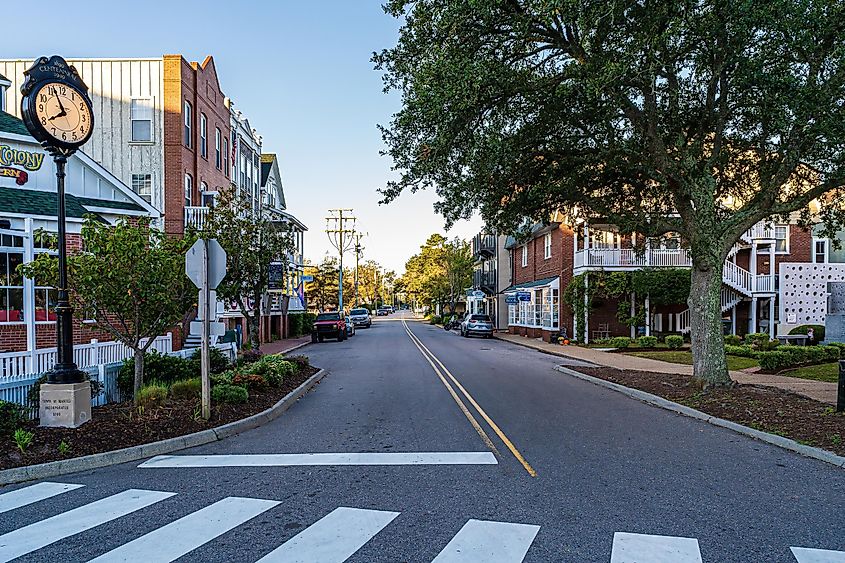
x,y
251,240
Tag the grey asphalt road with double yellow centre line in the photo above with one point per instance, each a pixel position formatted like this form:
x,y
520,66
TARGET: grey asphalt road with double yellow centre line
x,y
579,462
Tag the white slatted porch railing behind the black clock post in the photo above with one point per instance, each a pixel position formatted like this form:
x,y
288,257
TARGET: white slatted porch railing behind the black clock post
x,y
85,355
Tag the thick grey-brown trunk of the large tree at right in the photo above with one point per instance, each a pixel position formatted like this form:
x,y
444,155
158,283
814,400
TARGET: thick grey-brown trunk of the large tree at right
x,y
708,345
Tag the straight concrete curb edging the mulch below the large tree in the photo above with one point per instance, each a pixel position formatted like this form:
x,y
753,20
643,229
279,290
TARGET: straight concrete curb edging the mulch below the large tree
x,y
773,439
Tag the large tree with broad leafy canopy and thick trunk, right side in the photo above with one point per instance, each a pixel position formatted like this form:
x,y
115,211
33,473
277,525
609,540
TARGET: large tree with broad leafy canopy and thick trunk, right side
x,y
698,117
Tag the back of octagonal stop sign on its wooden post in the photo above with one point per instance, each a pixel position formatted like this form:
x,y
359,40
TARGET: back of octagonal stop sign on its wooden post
x,y
205,265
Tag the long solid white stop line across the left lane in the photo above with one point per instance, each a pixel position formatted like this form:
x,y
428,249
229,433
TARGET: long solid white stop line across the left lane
x,y
281,460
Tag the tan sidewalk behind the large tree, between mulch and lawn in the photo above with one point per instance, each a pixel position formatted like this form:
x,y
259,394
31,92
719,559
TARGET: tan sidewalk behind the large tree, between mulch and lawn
x,y
818,390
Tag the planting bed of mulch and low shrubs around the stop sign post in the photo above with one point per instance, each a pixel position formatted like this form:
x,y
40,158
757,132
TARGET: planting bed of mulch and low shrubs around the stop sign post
x,y
165,411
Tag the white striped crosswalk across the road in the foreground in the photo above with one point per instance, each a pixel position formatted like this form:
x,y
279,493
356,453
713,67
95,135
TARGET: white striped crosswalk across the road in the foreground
x,y
333,538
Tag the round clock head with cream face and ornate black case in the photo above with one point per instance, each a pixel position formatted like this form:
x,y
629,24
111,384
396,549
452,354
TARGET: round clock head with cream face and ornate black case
x,y
56,108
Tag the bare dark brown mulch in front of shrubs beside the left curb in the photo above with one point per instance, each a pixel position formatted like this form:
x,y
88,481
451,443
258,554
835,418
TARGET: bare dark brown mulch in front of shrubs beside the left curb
x,y
121,425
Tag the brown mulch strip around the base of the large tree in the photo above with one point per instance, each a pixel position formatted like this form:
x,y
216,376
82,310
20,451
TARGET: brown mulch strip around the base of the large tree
x,y
769,409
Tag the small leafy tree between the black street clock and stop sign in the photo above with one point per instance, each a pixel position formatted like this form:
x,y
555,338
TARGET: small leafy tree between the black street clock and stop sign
x,y
130,279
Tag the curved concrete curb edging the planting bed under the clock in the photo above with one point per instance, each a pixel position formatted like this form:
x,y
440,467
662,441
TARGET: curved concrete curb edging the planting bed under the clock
x,y
132,453
